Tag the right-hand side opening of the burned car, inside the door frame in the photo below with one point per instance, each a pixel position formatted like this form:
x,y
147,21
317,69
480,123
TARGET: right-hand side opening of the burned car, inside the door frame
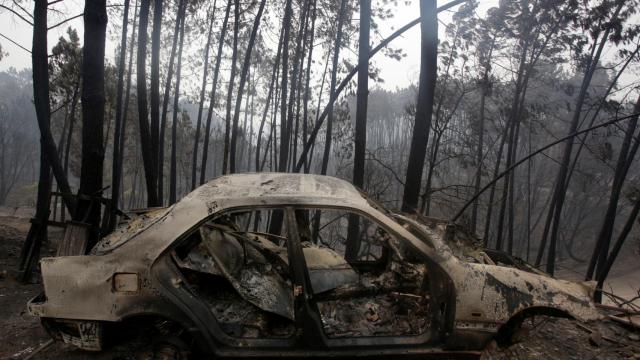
x,y
366,285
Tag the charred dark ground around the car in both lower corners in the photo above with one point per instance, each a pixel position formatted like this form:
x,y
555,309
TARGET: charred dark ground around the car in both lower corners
x,y
21,335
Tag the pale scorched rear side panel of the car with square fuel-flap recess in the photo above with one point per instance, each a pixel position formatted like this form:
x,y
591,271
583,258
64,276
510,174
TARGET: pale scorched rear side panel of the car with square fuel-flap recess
x,y
96,288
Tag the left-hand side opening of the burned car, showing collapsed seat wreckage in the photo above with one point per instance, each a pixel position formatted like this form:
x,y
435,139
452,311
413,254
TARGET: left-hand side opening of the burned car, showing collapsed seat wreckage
x,y
239,269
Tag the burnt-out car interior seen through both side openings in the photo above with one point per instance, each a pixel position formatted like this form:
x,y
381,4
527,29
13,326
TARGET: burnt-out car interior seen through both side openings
x,y
363,281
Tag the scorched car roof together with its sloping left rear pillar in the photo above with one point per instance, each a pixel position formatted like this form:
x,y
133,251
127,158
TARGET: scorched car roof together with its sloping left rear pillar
x,y
247,190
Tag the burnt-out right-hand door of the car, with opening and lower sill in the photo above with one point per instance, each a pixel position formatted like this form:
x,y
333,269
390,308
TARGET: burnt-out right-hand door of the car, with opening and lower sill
x,y
365,287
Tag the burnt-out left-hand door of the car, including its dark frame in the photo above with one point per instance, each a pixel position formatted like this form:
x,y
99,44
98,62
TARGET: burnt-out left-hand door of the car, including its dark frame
x,y
237,280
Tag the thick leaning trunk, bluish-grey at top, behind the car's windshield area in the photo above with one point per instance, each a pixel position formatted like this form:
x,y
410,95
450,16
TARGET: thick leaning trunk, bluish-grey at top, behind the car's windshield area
x,y
424,103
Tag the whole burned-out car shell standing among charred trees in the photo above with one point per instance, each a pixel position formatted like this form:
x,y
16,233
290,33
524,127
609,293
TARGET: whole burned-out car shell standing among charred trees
x,y
270,264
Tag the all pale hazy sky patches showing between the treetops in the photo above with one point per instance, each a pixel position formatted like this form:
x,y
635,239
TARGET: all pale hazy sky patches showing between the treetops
x,y
395,73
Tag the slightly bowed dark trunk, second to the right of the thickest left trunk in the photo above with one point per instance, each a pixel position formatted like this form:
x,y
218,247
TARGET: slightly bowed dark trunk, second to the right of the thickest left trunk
x,y
148,157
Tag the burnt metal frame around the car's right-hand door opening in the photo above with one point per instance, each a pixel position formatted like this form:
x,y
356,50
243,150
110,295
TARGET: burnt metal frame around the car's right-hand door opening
x,y
435,334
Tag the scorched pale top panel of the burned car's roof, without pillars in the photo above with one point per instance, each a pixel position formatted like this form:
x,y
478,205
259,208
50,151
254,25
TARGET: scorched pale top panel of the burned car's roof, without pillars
x,y
276,188
